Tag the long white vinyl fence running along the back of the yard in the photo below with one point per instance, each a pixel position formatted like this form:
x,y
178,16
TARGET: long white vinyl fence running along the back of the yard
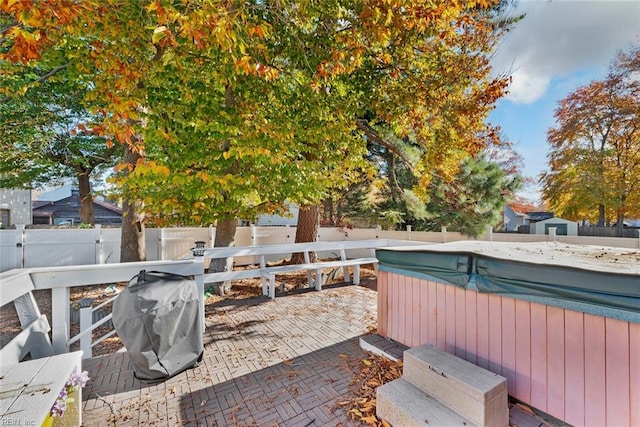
x,y
25,248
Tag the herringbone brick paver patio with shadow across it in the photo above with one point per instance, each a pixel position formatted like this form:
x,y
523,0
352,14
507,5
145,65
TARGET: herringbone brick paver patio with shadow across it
x,y
284,362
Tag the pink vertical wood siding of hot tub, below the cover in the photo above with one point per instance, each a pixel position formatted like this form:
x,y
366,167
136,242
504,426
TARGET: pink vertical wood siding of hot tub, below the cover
x,y
578,367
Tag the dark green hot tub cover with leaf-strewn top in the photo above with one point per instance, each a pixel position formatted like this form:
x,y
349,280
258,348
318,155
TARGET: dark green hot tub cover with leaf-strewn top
x,y
595,275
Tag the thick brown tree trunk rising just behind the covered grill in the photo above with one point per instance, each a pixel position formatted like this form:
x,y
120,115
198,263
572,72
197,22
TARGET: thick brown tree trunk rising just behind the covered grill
x,y
132,246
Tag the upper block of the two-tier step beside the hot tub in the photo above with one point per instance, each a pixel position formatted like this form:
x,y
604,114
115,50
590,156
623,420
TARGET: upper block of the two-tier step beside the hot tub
x,y
469,390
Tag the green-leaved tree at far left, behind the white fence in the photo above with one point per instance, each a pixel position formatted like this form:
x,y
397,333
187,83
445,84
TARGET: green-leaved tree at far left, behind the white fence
x,y
46,133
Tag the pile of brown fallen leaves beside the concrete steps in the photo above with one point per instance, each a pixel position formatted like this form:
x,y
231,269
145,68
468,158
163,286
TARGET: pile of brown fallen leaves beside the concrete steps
x,y
370,373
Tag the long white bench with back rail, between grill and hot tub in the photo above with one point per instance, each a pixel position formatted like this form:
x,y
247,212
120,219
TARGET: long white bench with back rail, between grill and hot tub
x,y
268,273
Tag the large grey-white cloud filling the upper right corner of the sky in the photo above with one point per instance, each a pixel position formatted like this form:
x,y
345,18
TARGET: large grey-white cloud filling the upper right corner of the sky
x,y
557,38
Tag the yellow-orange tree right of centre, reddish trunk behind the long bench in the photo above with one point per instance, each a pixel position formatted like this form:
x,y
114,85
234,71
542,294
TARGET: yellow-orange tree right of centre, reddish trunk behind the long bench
x,y
425,77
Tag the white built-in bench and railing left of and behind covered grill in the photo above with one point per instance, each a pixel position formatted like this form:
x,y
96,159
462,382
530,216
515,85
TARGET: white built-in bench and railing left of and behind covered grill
x,y
29,388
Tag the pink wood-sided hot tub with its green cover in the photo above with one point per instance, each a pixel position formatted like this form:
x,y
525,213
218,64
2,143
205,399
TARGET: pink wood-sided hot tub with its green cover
x,y
561,322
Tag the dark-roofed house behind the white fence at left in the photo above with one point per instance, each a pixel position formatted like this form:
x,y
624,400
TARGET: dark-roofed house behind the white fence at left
x,y
62,207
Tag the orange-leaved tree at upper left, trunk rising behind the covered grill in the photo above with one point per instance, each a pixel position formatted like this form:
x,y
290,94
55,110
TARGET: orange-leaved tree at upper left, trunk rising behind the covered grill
x,y
79,38
